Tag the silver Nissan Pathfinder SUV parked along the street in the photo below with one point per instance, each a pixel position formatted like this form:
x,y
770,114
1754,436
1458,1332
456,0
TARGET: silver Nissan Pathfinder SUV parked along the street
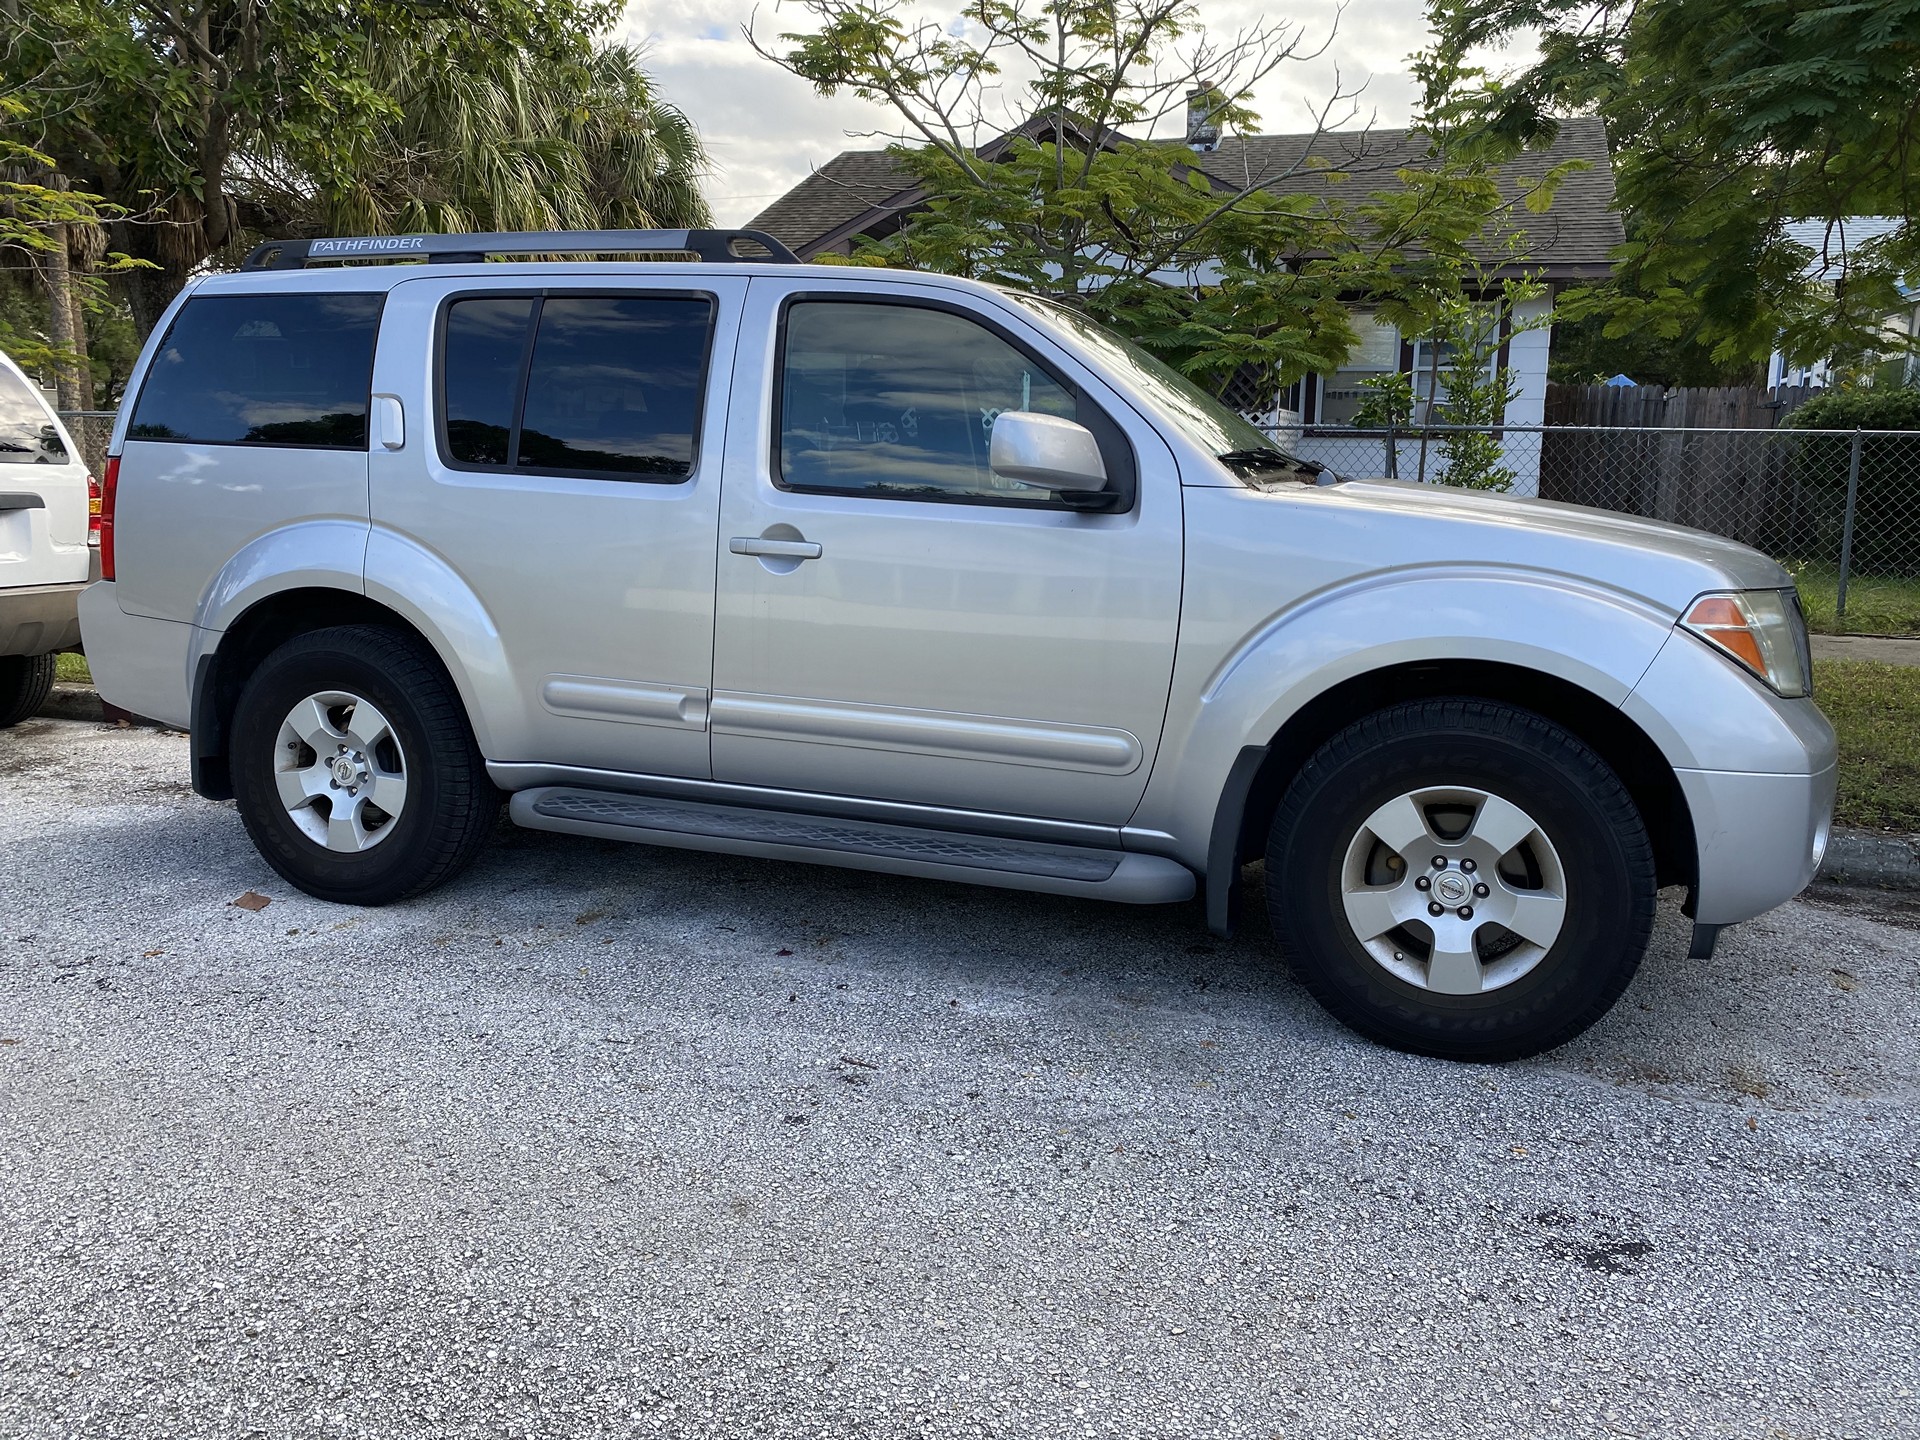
x,y
917,575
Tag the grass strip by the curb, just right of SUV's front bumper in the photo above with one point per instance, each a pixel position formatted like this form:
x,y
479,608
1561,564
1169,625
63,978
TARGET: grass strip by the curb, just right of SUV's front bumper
x,y
1877,713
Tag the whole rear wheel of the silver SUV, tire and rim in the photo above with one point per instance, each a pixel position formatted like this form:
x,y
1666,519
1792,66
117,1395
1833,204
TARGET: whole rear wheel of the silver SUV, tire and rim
x,y
356,771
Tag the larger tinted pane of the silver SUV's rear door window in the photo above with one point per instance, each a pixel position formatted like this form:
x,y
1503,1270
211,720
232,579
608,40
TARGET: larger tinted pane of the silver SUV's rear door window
x,y
615,385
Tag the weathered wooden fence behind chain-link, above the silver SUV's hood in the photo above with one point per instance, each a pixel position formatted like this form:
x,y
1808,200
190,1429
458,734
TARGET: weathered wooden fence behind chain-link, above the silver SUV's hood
x,y
1700,458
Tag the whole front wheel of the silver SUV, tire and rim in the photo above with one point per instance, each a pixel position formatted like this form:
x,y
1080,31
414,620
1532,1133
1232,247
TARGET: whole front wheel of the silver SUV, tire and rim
x,y
1462,878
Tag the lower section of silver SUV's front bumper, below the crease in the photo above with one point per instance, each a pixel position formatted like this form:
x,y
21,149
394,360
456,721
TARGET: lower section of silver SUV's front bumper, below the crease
x,y
1760,838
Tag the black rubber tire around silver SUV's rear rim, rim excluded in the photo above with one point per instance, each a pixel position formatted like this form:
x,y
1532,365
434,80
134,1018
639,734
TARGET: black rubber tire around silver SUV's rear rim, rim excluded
x,y
450,805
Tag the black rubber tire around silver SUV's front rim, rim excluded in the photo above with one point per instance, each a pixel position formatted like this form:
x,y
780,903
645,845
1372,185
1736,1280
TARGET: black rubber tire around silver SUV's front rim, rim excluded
x,y
1581,809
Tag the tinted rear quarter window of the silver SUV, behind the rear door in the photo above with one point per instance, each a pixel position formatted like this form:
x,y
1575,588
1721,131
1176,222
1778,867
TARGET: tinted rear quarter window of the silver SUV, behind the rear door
x,y
264,372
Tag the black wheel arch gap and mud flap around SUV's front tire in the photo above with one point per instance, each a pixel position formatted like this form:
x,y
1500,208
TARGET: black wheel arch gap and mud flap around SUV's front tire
x,y
1262,773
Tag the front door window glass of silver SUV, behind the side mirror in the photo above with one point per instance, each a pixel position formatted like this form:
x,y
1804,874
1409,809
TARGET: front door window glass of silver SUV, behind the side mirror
x,y
901,400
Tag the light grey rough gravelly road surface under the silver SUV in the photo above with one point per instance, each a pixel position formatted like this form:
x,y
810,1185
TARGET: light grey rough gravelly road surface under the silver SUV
x,y
612,1141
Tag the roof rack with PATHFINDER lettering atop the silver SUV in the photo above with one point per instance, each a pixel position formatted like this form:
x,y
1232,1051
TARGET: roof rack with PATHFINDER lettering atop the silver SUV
x,y
713,247
